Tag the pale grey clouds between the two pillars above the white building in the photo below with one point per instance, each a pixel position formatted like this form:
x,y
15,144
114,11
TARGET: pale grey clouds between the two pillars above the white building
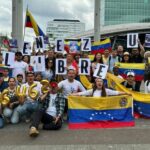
x,y
48,10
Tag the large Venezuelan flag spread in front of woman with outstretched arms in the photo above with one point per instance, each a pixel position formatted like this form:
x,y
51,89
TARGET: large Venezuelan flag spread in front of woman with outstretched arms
x,y
98,112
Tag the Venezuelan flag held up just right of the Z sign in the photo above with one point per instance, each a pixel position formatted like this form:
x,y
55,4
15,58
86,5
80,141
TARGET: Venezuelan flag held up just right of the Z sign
x,y
100,46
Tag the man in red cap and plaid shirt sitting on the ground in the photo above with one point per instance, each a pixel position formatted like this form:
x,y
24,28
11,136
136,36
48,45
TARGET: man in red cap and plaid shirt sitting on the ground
x,y
51,112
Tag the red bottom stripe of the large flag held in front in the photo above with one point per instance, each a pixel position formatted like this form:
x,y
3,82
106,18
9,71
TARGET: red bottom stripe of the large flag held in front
x,y
101,124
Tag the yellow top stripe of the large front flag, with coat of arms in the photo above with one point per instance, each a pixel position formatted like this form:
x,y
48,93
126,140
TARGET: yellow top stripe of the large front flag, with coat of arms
x,y
99,103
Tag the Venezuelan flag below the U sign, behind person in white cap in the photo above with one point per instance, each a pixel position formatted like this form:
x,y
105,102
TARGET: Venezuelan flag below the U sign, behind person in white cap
x,y
138,69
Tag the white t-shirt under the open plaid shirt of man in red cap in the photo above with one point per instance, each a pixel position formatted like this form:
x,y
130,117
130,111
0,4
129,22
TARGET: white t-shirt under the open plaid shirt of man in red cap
x,y
51,110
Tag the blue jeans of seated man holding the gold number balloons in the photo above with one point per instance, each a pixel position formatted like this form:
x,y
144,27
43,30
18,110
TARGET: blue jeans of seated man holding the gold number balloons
x,y
24,110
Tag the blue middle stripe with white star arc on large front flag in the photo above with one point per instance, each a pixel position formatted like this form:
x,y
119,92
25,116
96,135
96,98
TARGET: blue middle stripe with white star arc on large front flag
x,y
84,115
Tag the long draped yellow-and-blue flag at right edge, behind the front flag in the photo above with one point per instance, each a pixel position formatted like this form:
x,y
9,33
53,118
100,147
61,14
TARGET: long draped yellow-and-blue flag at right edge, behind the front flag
x,y
141,100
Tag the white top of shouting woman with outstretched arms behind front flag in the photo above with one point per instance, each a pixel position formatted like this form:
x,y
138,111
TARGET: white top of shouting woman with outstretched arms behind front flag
x,y
97,93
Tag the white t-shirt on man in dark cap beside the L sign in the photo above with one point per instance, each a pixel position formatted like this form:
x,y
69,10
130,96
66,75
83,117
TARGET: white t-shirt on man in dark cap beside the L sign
x,y
19,67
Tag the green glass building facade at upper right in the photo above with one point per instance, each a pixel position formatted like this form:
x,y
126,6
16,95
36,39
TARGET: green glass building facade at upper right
x,y
125,11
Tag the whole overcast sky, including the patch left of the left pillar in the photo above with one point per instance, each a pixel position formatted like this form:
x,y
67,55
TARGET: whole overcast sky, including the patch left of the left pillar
x,y
47,10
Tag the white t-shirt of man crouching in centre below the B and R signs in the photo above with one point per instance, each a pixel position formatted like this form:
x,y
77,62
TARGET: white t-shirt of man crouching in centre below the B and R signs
x,y
70,87
